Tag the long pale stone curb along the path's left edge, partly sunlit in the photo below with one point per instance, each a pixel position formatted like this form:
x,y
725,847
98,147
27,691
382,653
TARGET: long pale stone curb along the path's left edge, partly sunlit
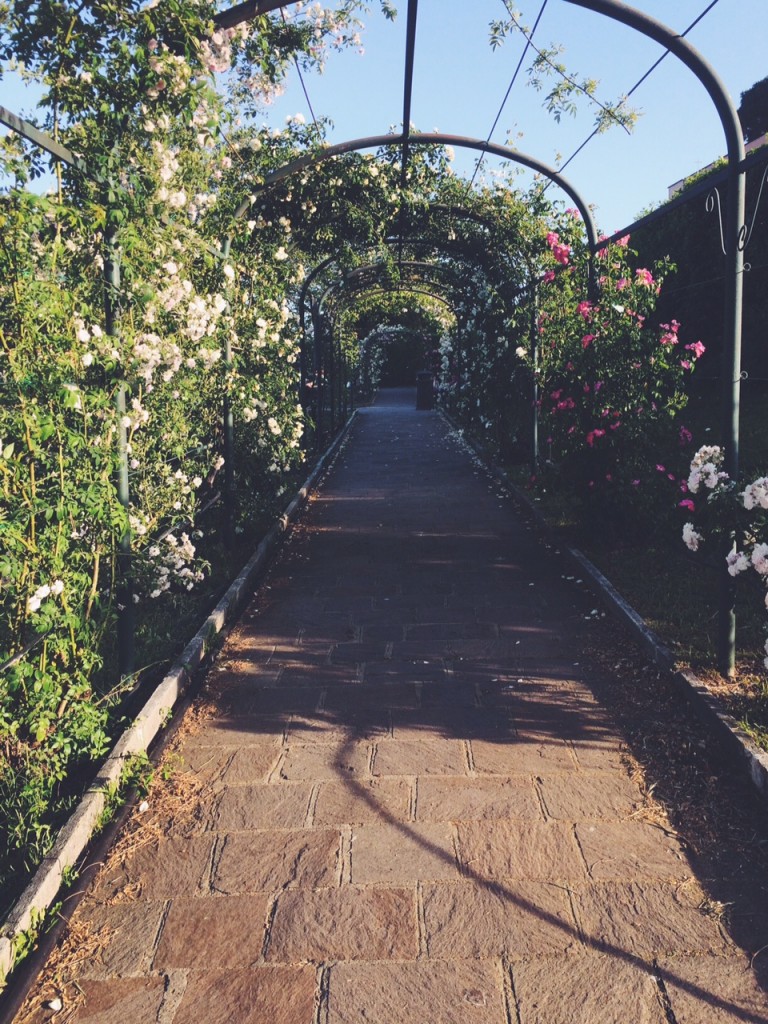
x,y
76,834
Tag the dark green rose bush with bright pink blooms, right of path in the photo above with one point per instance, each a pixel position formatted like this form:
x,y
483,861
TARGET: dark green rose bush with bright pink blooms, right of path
x,y
613,386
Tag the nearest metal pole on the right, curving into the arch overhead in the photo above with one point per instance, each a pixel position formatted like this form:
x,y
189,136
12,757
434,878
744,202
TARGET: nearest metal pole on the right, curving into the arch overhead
x,y
734,272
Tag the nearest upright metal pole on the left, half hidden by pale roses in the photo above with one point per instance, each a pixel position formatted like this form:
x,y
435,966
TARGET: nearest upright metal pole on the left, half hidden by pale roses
x,y
126,614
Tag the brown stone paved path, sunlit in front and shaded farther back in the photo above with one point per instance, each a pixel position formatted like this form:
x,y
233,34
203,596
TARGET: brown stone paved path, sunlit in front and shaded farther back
x,y
410,808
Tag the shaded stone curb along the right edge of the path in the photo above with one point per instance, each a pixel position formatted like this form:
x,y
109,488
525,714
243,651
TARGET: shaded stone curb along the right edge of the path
x,y
751,758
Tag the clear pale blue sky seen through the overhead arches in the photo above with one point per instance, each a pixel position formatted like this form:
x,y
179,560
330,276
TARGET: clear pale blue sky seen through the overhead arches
x,y
460,82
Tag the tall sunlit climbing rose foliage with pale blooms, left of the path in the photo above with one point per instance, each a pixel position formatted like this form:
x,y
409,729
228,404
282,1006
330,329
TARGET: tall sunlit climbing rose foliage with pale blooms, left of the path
x,y
130,88
